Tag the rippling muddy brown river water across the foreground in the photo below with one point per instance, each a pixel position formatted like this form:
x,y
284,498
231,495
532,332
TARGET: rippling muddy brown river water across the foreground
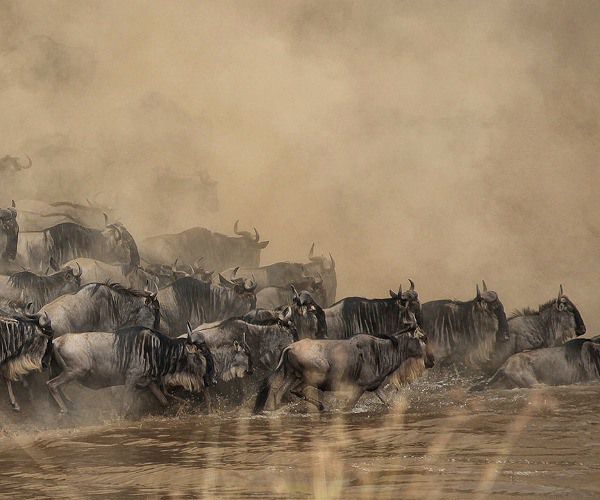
x,y
446,444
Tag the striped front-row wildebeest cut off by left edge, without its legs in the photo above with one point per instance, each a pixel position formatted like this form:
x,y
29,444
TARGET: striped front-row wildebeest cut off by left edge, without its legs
x,y
23,347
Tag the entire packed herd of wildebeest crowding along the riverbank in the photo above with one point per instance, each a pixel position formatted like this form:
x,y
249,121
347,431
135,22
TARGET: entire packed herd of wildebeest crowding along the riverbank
x,y
194,312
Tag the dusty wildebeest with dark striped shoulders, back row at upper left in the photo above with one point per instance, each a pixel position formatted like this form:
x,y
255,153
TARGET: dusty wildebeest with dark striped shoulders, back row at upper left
x,y
64,242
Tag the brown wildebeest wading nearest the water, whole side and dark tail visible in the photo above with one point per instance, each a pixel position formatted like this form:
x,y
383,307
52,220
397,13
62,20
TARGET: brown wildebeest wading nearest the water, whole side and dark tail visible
x,y
351,366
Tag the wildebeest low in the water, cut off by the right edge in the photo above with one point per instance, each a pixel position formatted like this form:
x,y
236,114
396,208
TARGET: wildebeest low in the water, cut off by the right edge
x,y
576,361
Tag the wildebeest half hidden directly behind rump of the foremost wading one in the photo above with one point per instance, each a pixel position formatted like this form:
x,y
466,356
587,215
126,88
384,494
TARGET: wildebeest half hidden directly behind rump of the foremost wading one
x,y
265,342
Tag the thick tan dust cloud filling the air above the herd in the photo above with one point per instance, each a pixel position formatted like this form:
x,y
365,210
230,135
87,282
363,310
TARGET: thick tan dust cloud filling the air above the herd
x,y
446,142
